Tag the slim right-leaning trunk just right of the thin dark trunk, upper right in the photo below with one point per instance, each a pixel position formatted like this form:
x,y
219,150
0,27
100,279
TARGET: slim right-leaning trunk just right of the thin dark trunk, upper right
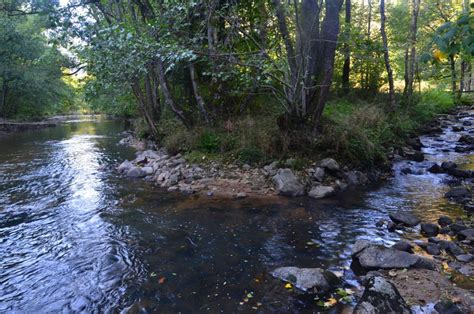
x,y
412,55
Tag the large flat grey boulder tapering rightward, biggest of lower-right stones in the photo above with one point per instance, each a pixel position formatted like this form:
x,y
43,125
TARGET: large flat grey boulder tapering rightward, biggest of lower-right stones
x,y
369,256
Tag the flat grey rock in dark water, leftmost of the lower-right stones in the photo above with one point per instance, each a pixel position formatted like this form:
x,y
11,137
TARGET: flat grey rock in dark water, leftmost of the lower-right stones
x,y
312,280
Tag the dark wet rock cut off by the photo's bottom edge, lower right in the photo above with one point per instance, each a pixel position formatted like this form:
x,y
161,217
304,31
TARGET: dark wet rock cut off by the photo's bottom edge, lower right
x,y
381,296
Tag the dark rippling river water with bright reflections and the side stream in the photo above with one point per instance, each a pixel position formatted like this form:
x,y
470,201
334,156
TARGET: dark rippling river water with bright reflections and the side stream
x,y
75,236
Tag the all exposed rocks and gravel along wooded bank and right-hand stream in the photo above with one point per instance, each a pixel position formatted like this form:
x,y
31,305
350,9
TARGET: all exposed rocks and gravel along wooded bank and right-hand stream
x,y
431,270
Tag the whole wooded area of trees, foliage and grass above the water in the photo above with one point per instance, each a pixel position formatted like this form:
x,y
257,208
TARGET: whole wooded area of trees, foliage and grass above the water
x,y
246,80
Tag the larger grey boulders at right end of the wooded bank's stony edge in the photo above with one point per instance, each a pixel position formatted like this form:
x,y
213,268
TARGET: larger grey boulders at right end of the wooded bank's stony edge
x,y
320,181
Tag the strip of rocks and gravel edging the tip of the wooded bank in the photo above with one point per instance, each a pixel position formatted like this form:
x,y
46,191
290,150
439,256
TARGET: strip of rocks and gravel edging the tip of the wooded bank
x,y
175,174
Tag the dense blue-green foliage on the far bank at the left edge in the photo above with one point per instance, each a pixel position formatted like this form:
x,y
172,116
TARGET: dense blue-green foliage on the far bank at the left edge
x,y
31,79
